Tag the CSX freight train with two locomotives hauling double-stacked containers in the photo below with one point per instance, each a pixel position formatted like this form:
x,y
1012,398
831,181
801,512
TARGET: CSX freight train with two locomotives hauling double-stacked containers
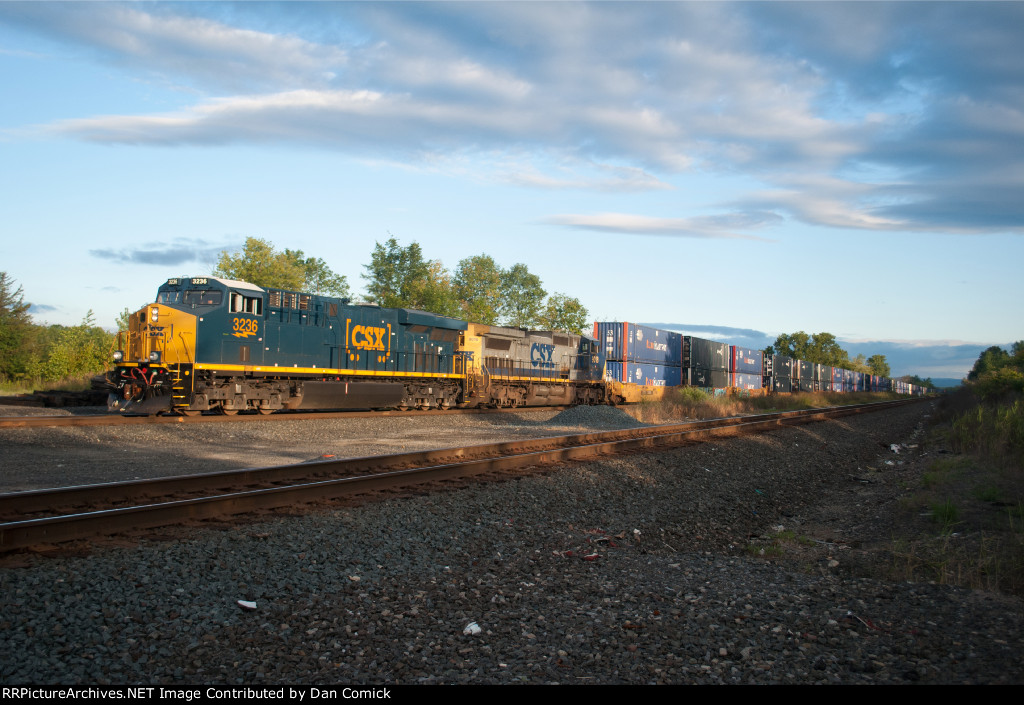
x,y
209,344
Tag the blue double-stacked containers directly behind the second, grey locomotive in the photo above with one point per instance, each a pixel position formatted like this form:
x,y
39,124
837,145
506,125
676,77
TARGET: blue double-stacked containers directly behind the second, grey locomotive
x,y
641,355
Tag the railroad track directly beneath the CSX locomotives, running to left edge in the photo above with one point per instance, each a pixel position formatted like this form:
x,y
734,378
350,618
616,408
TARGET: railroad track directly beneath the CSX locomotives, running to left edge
x,y
115,420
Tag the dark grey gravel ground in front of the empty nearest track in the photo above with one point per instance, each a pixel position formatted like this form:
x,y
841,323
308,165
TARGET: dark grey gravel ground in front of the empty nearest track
x,y
632,570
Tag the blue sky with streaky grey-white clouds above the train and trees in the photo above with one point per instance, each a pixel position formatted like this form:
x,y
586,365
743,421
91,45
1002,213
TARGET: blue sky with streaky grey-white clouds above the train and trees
x,y
729,171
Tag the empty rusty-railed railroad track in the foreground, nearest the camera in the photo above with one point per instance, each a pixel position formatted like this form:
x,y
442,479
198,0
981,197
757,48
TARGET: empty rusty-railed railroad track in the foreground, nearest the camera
x,y
45,517
